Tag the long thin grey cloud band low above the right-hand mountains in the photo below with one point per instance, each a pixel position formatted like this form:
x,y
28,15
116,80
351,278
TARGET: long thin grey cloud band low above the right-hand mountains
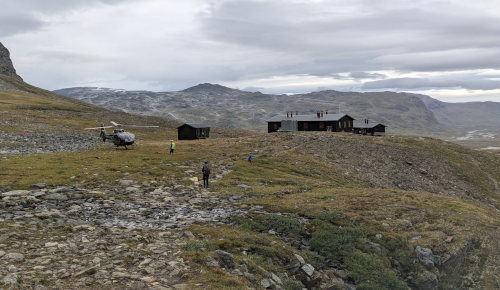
x,y
421,83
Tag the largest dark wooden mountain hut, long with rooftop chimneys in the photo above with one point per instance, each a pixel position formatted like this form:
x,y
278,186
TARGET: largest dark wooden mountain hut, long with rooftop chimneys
x,y
321,121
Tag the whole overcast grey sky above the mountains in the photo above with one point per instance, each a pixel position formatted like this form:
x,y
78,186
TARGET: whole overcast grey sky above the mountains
x,y
447,49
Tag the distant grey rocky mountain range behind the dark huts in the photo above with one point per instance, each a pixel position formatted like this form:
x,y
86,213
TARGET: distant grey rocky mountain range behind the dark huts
x,y
403,113
